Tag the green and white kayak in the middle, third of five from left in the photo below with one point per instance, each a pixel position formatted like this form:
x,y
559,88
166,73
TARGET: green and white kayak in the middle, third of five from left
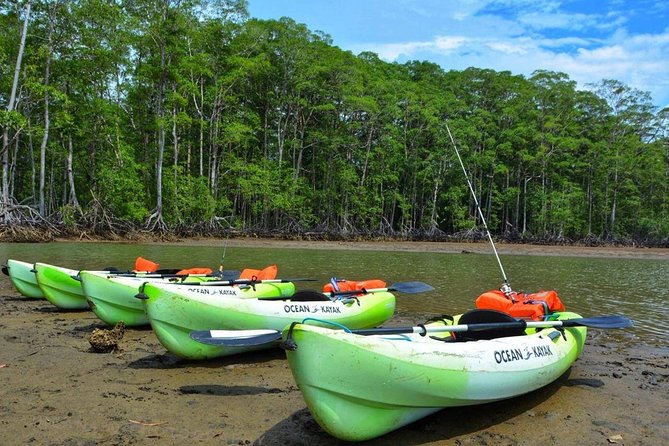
x,y
112,297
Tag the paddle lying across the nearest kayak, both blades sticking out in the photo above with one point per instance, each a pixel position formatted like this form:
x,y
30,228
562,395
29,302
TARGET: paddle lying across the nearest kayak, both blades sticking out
x,y
249,338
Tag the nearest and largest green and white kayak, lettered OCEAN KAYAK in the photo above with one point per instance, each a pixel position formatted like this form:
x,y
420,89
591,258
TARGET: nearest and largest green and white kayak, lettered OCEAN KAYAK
x,y
360,387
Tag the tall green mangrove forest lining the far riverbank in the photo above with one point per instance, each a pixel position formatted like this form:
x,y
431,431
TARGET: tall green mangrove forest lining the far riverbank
x,y
181,114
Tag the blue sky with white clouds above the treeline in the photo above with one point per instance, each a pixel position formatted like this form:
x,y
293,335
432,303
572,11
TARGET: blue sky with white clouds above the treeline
x,y
626,40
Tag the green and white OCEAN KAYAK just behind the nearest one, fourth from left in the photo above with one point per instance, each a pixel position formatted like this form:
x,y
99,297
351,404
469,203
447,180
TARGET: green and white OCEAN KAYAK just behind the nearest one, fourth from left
x,y
176,310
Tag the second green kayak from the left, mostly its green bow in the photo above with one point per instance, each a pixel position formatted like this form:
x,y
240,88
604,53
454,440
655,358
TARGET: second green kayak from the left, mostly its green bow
x,y
60,287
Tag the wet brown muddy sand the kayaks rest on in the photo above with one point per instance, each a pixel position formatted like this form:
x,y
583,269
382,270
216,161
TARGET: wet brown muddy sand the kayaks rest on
x,y
55,390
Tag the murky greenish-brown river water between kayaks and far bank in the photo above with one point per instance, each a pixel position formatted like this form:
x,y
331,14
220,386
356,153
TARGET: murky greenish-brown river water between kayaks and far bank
x,y
636,288
